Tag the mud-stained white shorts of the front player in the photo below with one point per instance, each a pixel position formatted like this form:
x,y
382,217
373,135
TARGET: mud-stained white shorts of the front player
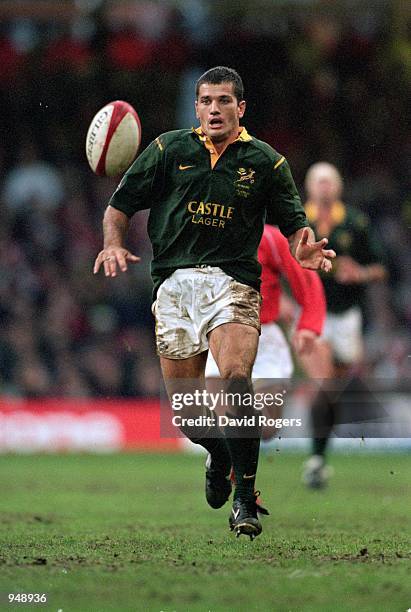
x,y
192,302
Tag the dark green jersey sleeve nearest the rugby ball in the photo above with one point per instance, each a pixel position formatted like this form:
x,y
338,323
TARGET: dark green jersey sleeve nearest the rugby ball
x,y
142,182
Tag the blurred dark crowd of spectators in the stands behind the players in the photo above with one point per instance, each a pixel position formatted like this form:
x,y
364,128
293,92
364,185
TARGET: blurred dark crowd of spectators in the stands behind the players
x,y
319,87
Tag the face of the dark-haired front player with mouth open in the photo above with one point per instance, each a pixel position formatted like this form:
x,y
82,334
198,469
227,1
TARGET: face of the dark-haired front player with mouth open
x,y
219,111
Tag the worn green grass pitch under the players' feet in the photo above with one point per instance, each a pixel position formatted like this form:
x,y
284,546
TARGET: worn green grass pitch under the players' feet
x,y
133,532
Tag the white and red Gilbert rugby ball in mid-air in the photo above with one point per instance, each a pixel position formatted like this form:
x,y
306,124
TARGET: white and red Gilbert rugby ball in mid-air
x,y
113,139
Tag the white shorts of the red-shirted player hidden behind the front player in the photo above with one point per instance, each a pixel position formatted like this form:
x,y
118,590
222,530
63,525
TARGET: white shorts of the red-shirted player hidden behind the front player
x,y
273,356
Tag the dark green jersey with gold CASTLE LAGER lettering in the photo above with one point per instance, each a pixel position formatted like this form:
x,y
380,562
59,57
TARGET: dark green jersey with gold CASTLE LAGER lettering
x,y
209,210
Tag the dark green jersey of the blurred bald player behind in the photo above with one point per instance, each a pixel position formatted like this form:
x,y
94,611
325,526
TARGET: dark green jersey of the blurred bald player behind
x,y
352,236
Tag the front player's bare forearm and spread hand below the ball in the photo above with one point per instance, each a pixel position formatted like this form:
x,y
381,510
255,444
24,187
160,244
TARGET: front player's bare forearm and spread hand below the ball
x,y
113,255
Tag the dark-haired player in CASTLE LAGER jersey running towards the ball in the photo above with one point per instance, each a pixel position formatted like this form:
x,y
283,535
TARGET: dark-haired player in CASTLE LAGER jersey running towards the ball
x,y
209,191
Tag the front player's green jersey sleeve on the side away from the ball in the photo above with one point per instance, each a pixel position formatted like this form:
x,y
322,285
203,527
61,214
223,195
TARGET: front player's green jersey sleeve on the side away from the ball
x,y
284,207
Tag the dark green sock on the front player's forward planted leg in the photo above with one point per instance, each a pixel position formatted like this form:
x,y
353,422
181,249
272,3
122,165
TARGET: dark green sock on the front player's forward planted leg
x,y
244,444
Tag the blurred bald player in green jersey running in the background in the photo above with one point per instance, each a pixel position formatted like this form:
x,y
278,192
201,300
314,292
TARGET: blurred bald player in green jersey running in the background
x,y
358,264
